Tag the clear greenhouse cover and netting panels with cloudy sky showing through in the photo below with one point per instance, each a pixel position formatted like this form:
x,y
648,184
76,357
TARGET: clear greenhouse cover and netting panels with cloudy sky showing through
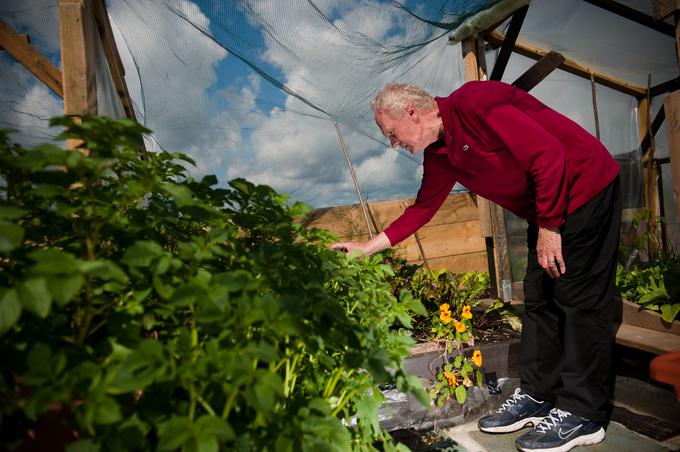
x,y
253,88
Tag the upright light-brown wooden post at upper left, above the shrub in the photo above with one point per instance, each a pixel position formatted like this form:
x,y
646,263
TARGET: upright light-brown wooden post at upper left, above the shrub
x,y
77,36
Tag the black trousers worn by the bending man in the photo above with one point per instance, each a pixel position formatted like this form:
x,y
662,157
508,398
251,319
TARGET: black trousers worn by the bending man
x,y
567,336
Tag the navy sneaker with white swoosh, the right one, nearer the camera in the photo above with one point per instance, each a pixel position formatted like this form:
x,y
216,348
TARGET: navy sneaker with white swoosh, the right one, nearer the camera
x,y
560,431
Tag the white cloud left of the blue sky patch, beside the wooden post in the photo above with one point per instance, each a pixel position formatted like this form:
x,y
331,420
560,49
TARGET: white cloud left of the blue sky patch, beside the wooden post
x,y
175,62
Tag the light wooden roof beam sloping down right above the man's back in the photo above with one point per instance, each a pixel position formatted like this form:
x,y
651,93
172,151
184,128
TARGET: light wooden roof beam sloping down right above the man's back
x,y
496,38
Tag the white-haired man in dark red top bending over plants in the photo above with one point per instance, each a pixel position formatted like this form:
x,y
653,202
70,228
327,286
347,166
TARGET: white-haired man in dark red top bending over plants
x,y
508,147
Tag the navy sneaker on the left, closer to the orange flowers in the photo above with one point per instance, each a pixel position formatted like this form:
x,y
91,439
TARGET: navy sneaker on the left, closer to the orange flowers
x,y
515,413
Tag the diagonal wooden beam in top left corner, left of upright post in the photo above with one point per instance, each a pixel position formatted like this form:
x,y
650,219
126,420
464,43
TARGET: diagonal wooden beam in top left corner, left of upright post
x,y
20,48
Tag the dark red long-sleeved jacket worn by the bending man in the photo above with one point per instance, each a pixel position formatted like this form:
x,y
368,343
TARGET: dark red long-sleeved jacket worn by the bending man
x,y
508,147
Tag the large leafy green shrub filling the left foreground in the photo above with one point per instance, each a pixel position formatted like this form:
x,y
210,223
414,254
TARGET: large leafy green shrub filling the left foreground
x,y
160,312
